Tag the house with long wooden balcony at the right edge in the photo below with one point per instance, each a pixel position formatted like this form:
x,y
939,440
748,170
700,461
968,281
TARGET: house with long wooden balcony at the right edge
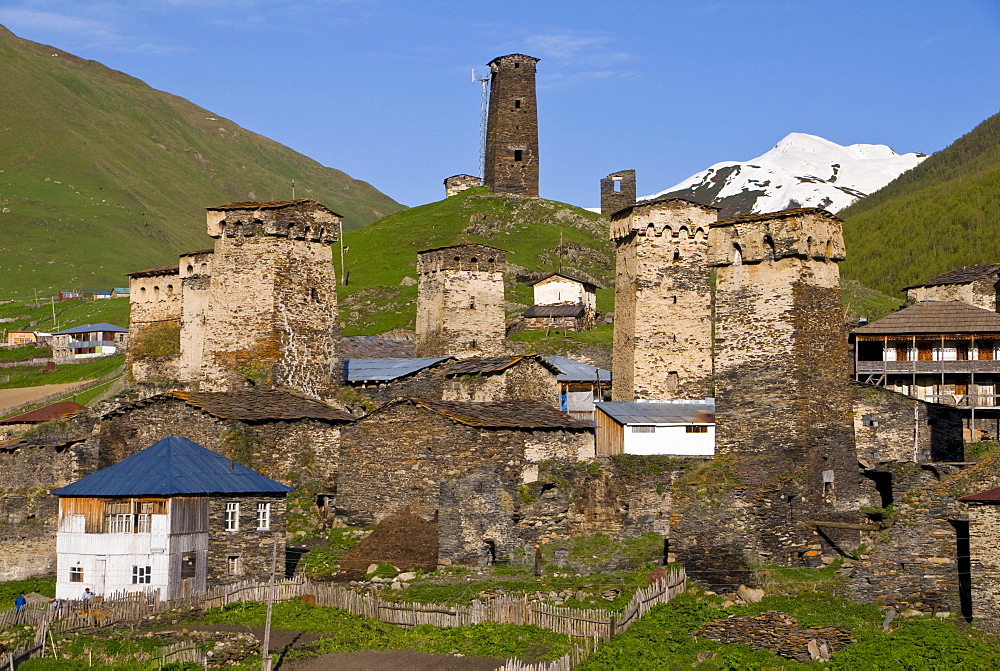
x,y
945,352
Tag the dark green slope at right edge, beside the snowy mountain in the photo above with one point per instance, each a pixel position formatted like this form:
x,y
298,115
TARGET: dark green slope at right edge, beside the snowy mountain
x,y
943,214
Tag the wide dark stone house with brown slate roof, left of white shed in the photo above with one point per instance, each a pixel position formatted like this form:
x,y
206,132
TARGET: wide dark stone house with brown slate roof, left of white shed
x,y
399,455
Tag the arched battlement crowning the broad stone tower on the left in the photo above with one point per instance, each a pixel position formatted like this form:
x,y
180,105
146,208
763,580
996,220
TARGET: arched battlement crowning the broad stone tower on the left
x,y
301,219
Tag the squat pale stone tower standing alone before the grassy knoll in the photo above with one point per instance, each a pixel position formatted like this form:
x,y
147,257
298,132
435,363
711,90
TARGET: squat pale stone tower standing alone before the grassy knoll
x,y
460,301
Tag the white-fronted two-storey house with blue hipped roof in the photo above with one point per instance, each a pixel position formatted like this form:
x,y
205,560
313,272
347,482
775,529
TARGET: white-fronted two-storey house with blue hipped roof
x,y
175,517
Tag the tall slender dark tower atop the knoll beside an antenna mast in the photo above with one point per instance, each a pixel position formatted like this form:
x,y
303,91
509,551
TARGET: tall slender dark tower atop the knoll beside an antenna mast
x,y
512,127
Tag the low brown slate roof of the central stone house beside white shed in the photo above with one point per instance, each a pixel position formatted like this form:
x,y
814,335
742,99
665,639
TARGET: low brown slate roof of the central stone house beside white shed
x,y
519,414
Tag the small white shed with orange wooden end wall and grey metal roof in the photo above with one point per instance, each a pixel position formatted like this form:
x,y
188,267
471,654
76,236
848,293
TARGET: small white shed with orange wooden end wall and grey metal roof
x,y
682,428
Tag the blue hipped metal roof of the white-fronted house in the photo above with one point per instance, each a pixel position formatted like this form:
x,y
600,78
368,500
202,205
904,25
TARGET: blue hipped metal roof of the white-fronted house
x,y
171,467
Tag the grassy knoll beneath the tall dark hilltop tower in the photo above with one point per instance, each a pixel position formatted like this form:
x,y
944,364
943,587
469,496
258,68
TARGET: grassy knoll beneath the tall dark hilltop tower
x,y
378,297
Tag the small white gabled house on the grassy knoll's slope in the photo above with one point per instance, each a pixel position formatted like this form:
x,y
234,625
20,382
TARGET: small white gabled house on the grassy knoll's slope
x,y
562,303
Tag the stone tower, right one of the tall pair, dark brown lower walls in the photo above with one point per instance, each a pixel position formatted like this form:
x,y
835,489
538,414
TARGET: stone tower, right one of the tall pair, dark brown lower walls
x,y
783,405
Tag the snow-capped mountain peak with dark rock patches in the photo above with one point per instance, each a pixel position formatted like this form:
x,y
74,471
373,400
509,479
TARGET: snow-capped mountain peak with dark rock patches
x,y
800,171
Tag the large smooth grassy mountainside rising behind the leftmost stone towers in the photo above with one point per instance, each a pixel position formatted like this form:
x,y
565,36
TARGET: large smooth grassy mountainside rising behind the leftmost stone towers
x,y
101,174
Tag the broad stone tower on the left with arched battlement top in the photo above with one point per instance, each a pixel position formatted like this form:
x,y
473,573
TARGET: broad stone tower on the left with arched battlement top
x,y
271,313
